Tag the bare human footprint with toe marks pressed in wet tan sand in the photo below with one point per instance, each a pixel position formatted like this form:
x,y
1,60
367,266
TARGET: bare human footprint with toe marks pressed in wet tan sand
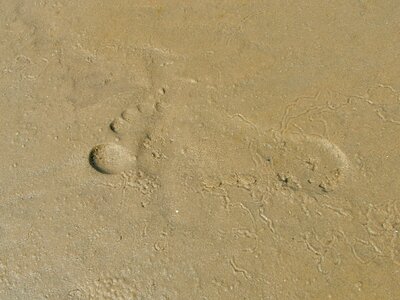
x,y
298,162
